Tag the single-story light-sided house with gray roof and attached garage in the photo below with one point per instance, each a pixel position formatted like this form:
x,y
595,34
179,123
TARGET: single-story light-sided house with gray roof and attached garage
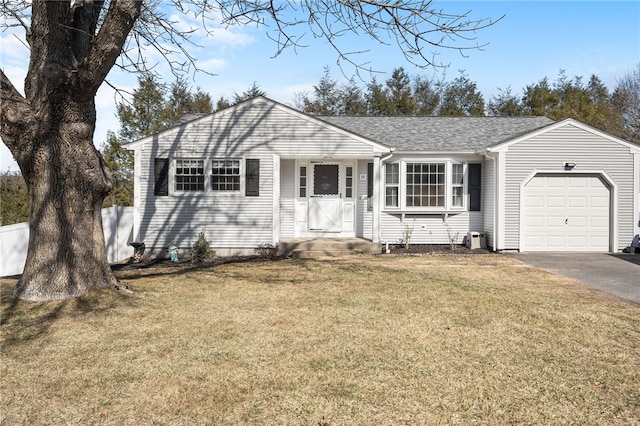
x,y
262,173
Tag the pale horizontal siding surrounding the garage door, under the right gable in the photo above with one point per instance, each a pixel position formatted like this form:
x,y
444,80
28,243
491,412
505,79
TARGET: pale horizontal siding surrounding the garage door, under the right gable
x,y
548,151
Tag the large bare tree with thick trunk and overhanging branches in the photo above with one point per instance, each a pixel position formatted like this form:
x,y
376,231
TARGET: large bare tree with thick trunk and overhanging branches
x,y
73,46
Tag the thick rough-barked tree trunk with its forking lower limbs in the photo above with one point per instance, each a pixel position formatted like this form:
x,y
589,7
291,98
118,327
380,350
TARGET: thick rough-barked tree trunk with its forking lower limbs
x,y
50,129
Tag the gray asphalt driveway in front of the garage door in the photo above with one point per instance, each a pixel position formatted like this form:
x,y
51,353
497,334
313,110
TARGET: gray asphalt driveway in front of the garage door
x,y
617,274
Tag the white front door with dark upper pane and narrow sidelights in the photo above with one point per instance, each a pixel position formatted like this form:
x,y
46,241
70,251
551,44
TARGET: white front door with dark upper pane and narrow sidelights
x,y
326,203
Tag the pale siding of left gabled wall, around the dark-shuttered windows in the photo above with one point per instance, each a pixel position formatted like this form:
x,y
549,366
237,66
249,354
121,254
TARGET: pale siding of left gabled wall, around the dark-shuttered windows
x,y
258,130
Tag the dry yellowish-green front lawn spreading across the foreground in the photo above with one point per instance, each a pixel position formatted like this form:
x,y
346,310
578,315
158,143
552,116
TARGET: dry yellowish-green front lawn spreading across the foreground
x,y
365,340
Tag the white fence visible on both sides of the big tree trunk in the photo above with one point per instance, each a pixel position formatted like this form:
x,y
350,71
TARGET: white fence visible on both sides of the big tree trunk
x,y
117,223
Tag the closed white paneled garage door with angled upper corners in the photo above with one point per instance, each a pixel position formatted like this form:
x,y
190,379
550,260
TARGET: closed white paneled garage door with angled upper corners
x,y
566,213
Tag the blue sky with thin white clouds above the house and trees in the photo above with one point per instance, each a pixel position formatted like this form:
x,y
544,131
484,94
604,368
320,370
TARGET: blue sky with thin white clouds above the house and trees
x,y
534,40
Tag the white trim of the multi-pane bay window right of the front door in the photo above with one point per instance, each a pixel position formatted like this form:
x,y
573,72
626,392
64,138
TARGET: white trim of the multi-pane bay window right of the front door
x,y
402,187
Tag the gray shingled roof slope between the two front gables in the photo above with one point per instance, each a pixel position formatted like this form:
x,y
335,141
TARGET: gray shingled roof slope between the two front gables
x,y
439,134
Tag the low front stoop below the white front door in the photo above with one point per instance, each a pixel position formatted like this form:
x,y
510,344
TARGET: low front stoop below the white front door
x,y
331,247
